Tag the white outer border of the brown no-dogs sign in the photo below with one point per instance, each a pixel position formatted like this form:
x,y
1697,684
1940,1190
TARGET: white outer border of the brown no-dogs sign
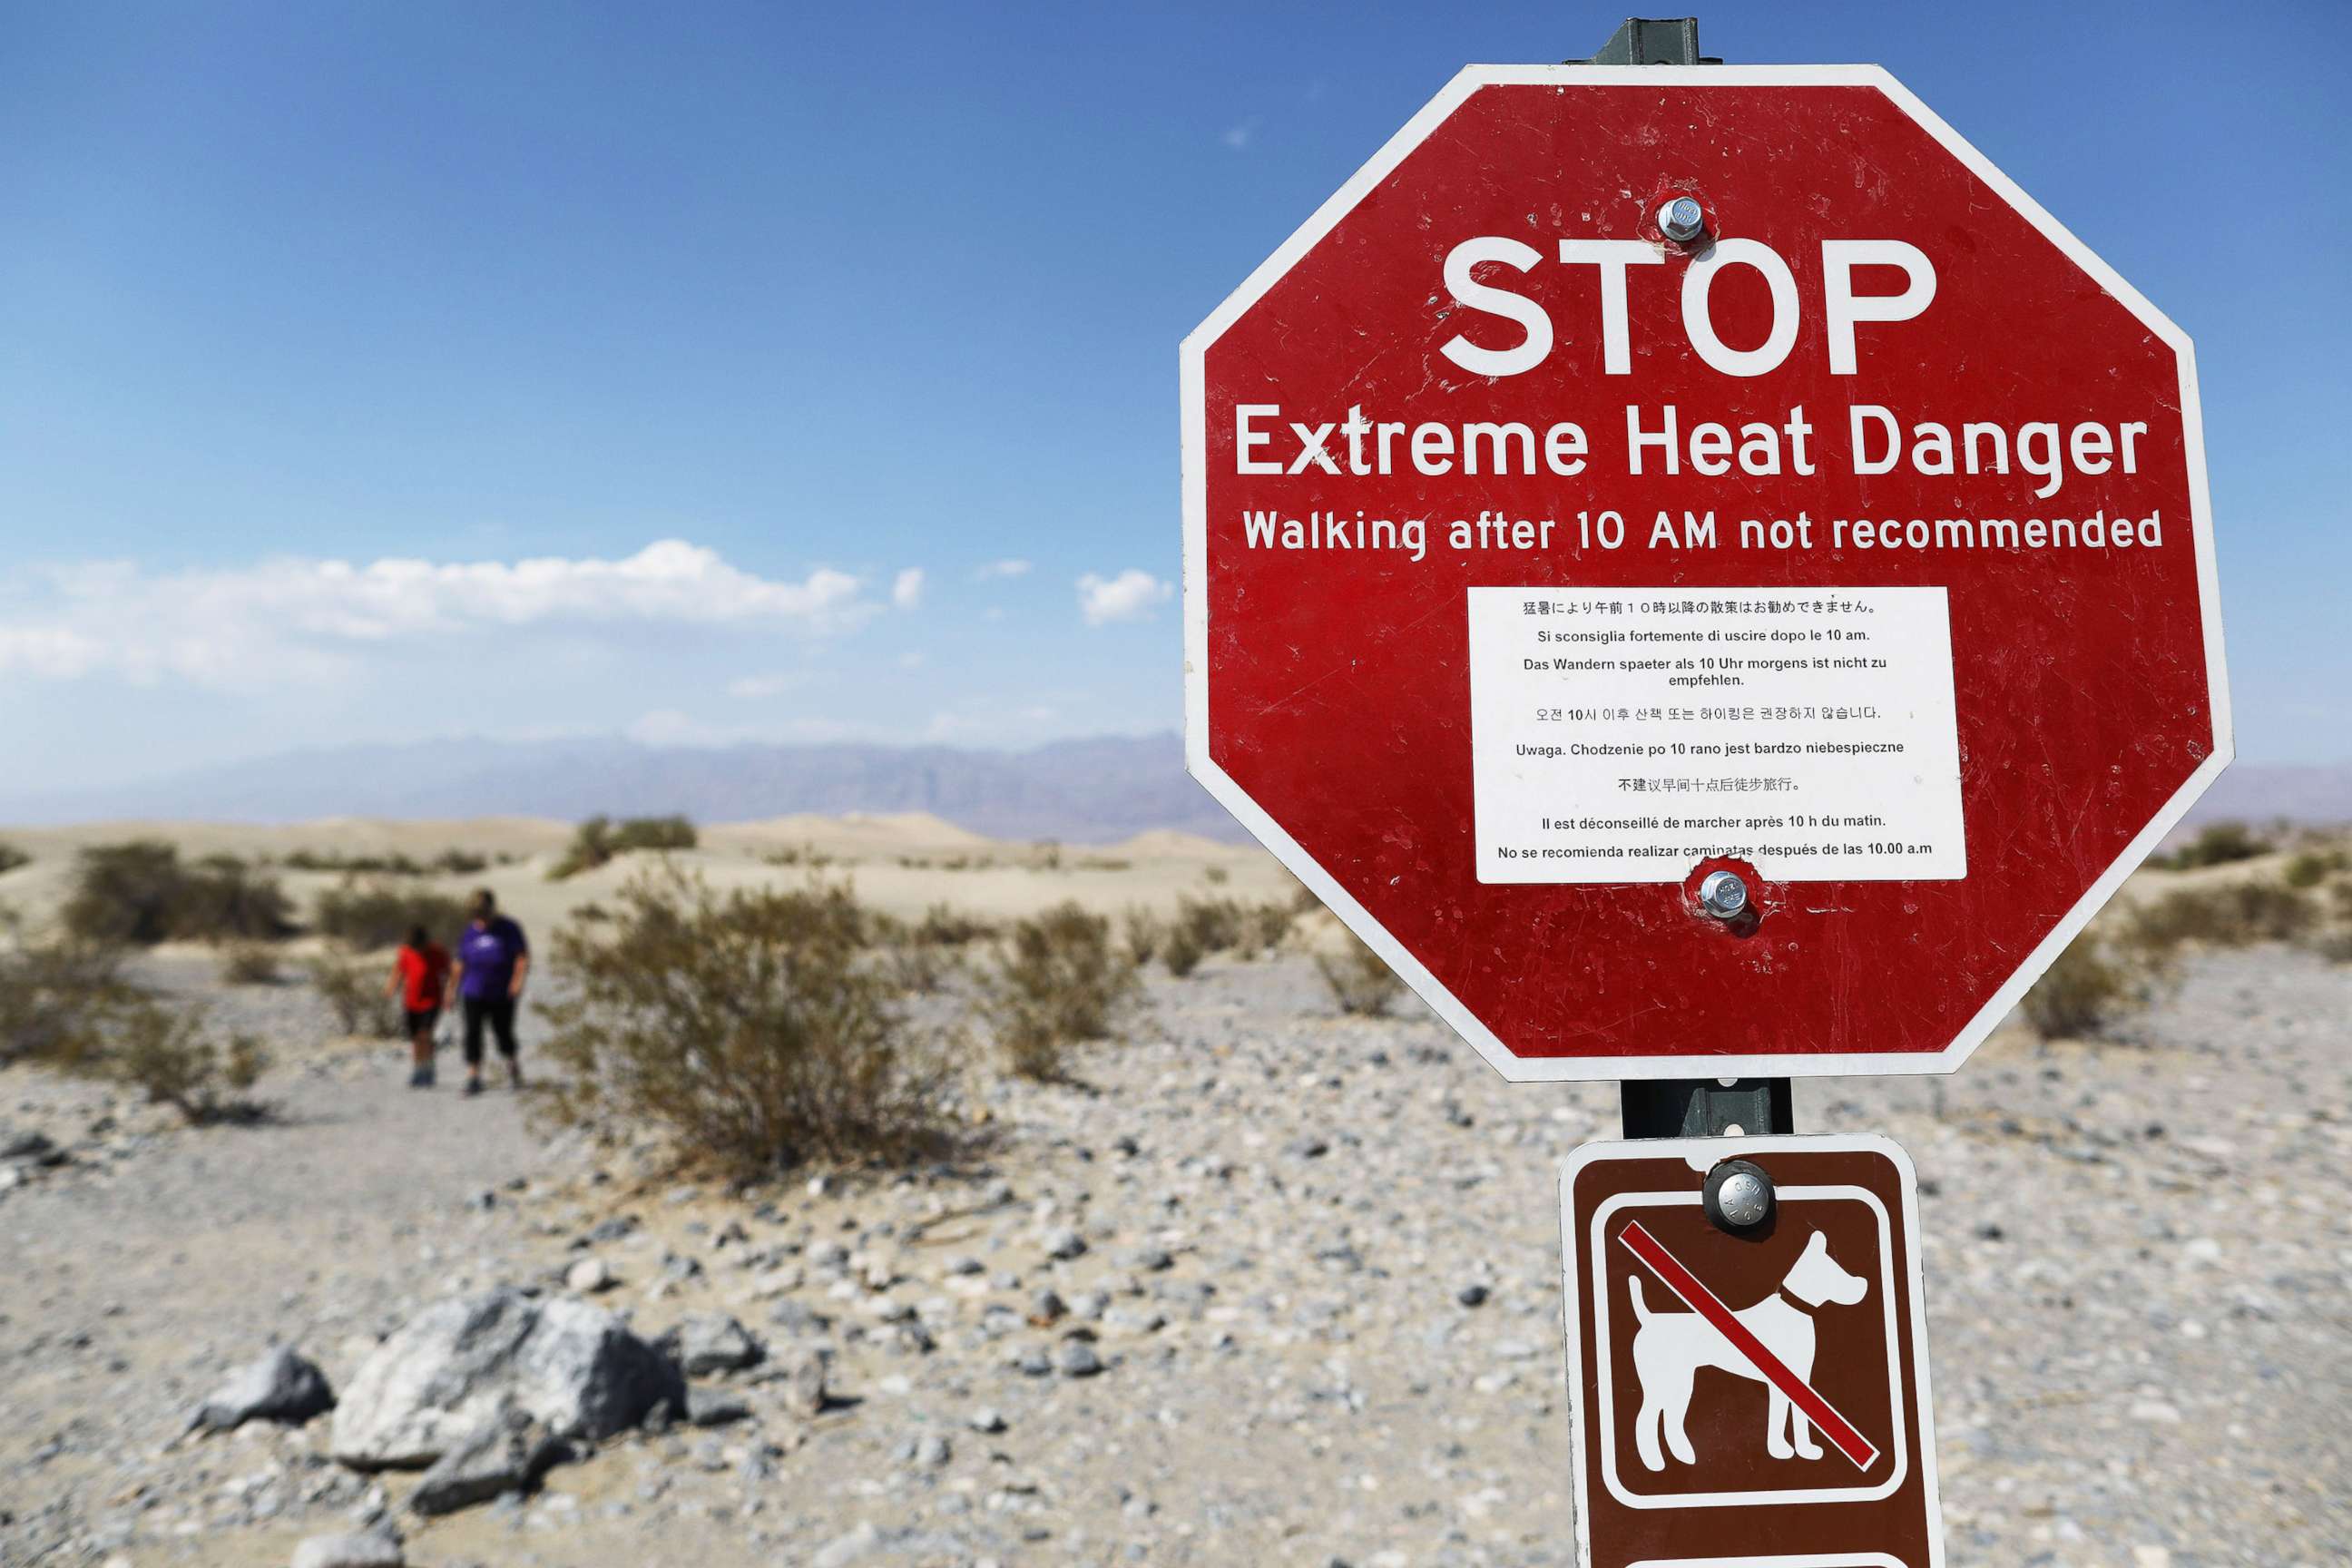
x,y
1702,1155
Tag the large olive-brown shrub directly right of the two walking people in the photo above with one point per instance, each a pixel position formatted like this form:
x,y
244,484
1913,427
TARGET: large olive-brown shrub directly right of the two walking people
x,y
751,1028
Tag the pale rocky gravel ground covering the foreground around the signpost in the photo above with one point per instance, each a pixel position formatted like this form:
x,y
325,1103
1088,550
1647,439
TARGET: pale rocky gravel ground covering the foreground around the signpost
x,y
1262,1353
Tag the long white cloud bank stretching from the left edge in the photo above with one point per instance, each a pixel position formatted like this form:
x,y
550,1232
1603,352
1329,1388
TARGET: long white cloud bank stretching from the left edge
x,y
298,619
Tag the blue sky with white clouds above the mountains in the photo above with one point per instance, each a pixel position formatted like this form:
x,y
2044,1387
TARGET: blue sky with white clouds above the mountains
x,y
876,311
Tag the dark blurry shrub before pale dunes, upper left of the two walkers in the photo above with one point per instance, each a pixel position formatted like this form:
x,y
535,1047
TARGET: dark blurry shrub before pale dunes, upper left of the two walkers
x,y
145,894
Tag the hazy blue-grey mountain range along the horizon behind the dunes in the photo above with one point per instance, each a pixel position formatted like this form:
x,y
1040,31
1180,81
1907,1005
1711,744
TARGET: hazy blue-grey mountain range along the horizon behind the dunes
x,y
1078,791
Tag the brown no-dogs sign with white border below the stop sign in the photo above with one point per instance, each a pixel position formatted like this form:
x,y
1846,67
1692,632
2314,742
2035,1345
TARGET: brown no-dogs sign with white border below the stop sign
x,y
1749,1398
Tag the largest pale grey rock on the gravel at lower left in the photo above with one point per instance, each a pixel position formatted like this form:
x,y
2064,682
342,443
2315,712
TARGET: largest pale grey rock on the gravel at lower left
x,y
467,1360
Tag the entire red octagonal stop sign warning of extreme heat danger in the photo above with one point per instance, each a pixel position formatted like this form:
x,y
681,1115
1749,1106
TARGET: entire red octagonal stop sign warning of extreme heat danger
x,y
1542,561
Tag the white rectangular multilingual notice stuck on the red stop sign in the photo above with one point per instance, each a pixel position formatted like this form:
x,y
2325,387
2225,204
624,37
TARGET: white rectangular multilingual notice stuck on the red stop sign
x,y
1626,735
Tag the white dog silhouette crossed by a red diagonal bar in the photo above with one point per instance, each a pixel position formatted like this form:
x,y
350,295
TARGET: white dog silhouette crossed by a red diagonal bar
x,y
1673,1346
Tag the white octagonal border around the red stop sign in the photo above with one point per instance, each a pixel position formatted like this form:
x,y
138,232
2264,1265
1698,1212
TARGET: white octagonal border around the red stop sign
x,y
1335,897
